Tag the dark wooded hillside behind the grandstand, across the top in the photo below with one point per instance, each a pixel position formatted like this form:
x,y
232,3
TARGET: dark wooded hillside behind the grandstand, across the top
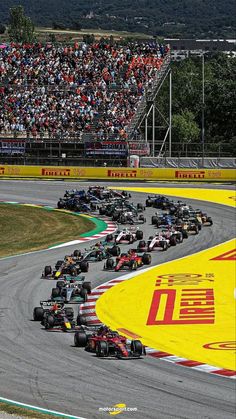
x,y
183,18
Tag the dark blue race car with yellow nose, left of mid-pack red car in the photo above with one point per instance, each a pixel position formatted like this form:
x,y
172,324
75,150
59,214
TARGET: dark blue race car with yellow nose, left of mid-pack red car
x,y
69,265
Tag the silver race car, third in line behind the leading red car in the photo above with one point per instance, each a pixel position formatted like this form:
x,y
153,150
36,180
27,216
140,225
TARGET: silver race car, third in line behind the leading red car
x,y
71,292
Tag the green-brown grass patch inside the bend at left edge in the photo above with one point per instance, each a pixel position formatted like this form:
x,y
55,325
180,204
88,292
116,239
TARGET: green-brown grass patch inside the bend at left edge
x,y
24,228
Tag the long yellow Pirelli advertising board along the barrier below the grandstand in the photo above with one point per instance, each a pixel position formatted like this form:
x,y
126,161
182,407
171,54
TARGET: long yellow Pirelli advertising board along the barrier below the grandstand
x,y
118,173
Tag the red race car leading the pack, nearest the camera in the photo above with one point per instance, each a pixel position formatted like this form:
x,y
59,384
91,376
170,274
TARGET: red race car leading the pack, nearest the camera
x,y
105,342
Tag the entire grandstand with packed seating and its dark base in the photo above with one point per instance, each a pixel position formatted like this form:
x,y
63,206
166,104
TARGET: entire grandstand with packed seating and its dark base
x,y
80,102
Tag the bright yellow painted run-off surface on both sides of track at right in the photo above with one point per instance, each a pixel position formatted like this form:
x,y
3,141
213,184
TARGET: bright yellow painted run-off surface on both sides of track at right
x,y
184,307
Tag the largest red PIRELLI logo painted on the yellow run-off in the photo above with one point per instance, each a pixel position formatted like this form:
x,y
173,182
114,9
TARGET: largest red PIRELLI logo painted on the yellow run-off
x,y
186,306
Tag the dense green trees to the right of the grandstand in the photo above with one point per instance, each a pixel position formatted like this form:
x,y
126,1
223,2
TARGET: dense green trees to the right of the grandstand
x,y
220,101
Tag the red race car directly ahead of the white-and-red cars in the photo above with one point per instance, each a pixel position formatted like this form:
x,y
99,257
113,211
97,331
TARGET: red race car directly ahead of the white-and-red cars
x,y
131,260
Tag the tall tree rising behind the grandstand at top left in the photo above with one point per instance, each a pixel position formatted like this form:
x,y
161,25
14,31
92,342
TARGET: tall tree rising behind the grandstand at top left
x,y
21,28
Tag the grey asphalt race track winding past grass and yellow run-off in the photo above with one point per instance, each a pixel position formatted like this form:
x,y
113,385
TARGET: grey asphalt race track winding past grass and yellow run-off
x,y
44,369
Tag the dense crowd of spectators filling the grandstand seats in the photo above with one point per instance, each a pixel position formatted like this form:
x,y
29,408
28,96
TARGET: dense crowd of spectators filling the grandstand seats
x,y
50,90
